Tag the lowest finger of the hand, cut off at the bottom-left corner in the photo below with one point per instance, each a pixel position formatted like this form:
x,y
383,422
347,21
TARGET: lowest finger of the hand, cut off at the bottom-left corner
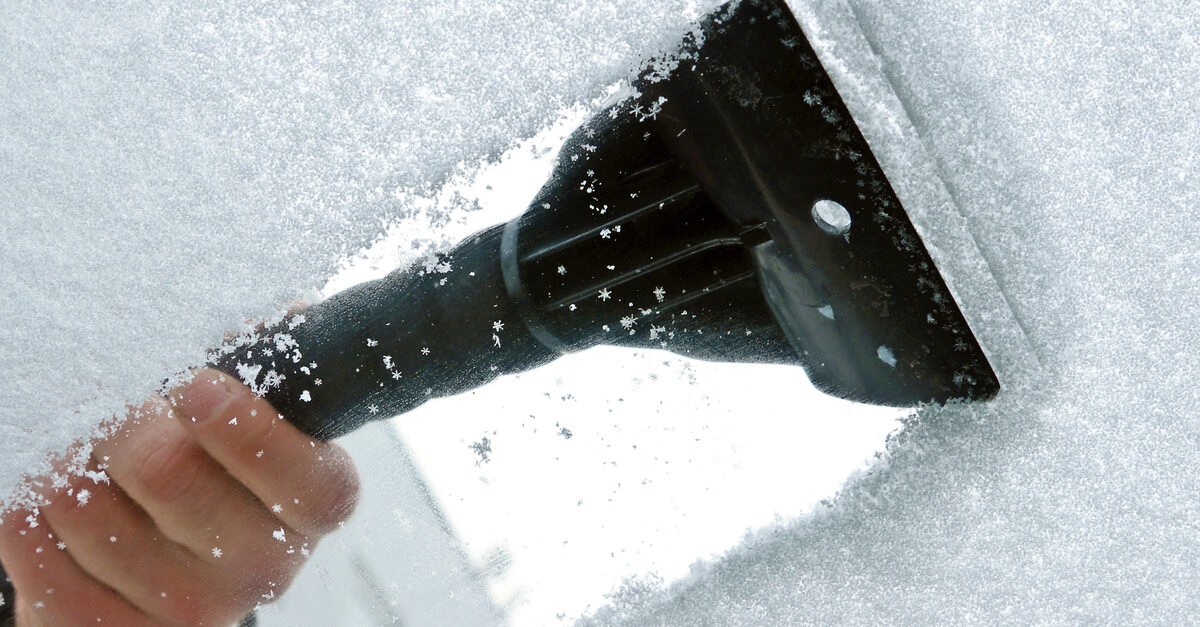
x,y
51,588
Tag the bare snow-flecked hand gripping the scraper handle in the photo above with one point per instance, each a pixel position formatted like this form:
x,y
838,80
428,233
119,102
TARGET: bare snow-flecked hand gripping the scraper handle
x,y
212,505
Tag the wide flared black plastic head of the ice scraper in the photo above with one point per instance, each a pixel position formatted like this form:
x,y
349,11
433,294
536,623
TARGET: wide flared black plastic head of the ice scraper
x,y
746,147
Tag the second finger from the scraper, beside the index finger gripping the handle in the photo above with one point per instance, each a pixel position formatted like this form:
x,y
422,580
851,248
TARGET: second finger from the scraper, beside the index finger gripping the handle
x,y
190,498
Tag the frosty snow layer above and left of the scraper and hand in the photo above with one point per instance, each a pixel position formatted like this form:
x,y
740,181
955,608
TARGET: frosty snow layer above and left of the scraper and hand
x,y
172,169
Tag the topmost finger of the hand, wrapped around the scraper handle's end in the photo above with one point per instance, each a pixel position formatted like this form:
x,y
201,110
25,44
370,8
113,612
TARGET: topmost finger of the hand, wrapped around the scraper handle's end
x,y
310,486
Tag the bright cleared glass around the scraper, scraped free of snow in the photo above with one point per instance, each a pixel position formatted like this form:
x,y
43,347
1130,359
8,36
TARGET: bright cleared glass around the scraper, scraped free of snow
x,y
538,498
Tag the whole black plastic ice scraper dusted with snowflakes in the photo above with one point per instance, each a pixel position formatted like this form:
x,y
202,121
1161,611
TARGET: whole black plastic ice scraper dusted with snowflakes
x,y
731,211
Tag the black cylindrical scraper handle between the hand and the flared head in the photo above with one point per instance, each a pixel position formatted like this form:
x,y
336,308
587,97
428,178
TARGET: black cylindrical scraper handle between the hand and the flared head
x,y
383,348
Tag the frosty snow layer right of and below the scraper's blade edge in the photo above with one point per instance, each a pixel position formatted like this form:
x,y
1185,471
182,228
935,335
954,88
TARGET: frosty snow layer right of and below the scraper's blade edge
x,y
1066,136
